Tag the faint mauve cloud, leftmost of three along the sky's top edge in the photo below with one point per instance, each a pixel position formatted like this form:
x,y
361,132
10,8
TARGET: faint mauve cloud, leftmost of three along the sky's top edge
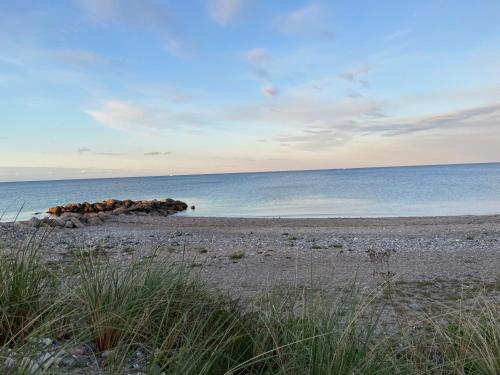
x,y
143,13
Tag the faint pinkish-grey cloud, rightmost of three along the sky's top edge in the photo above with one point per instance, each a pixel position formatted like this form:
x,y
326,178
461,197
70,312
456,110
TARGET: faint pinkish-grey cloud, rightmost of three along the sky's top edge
x,y
309,20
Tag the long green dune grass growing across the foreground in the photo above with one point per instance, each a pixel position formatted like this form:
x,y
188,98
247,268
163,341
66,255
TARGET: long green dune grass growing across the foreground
x,y
180,326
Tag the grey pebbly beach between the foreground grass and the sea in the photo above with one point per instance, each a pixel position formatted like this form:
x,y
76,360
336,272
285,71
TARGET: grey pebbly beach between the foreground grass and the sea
x,y
244,257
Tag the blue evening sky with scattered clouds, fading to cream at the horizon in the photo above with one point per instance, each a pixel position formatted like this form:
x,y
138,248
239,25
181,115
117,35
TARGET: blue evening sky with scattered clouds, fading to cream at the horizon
x,y
105,88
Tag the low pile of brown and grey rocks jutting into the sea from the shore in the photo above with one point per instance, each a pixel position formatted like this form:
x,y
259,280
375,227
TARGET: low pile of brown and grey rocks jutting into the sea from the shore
x,y
77,215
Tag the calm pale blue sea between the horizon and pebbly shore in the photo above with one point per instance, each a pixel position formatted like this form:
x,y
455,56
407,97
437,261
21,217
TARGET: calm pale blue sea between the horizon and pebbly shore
x,y
400,191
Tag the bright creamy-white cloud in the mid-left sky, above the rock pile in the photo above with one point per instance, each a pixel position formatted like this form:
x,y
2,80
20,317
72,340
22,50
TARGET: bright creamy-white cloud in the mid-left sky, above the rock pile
x,y
122,115
